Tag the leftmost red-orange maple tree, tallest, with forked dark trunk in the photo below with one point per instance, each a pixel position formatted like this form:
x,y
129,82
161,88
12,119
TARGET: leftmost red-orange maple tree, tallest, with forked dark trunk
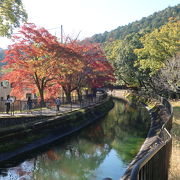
x,y
30,60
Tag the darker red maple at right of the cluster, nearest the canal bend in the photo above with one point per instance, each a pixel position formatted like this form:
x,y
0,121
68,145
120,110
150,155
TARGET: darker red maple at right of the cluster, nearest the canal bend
x,y
91,69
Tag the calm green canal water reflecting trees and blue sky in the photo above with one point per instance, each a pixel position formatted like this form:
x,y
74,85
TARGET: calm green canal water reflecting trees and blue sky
x,y
101,150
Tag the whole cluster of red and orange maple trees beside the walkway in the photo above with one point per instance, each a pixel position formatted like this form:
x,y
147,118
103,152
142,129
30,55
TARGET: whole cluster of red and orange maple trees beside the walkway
x,y
38,63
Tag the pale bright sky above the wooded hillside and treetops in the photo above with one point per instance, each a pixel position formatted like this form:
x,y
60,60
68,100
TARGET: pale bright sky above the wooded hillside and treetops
x,y
88,17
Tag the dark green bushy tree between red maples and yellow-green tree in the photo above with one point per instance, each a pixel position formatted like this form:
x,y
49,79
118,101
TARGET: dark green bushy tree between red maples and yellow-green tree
x,y
121,54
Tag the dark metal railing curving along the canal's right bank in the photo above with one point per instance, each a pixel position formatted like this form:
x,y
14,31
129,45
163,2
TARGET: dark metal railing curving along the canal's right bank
x,y
155,165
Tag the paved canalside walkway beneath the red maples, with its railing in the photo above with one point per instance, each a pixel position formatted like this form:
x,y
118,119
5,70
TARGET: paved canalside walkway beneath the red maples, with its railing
x,y
19,109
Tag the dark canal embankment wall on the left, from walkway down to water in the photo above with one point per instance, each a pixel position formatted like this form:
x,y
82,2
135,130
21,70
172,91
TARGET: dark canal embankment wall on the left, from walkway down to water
x,y
30,131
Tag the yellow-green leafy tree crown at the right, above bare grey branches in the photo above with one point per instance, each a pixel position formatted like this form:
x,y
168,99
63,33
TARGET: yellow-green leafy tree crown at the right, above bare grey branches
x,y
159,46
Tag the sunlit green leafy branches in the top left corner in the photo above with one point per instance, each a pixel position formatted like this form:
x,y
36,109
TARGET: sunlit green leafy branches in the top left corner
x,y
12,14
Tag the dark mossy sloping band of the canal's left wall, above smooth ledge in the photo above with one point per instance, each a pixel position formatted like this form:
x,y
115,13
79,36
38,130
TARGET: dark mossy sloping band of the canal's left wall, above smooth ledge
x,y
29,133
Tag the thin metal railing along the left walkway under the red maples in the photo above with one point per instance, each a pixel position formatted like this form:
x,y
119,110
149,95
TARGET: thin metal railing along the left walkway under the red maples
x,y
21,107
